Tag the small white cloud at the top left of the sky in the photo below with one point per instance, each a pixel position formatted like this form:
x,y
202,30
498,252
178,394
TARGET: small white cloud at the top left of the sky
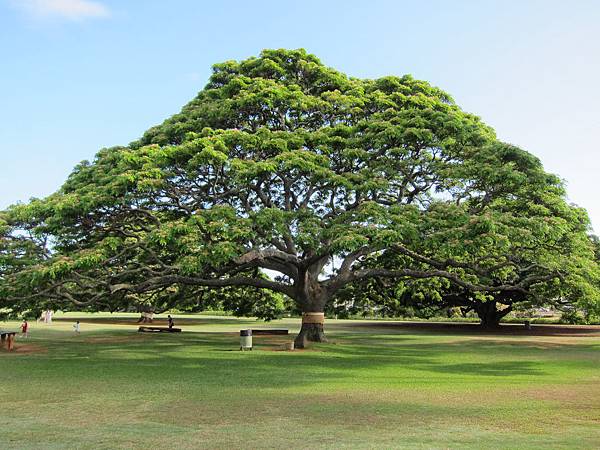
x,y
63,9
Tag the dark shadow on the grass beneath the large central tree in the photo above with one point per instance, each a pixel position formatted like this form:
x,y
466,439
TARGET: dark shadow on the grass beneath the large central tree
x,y
208,358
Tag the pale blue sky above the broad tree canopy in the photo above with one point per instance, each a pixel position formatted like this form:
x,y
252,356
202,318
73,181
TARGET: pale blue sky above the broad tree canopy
x,y
79,75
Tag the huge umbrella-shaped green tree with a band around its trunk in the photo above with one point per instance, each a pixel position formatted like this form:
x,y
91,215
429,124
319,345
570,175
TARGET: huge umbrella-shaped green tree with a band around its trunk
x,y
284,176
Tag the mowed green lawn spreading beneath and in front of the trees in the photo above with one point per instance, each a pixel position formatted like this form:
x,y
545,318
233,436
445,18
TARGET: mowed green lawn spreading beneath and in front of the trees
x,y
376,385
